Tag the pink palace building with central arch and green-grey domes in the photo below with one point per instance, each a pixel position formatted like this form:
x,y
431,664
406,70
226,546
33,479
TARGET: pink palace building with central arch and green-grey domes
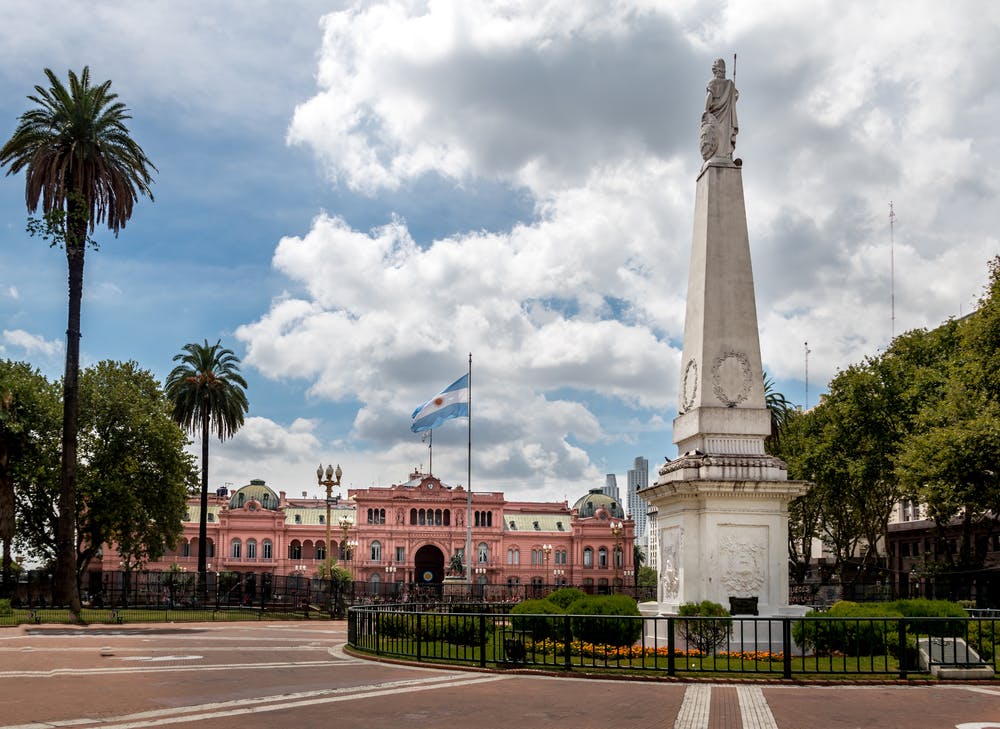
x,y
408,533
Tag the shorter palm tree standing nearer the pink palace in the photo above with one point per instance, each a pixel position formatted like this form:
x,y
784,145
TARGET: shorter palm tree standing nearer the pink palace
x,y
207,392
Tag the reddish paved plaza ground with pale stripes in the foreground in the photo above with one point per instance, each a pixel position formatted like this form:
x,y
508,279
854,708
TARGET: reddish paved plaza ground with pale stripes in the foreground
x,y
260,674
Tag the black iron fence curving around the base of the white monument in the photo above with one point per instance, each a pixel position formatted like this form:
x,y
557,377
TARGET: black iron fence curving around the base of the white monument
x,y
787,647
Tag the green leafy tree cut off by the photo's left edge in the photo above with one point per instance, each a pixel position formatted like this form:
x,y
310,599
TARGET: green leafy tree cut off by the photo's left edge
x,y
29,442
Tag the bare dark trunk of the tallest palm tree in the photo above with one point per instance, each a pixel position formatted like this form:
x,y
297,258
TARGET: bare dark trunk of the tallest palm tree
x,y
65,588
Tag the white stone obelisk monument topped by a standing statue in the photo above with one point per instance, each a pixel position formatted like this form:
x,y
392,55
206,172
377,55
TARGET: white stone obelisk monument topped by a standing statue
x,y
722,518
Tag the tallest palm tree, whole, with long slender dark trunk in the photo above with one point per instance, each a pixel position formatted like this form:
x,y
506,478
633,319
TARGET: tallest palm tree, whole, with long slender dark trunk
x,y
86,169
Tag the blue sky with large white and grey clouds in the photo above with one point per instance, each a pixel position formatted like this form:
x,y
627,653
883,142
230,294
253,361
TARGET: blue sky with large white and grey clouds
x,y
355,197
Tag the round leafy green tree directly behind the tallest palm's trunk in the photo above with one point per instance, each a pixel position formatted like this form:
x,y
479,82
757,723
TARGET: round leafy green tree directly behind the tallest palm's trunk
x,y
134,471
